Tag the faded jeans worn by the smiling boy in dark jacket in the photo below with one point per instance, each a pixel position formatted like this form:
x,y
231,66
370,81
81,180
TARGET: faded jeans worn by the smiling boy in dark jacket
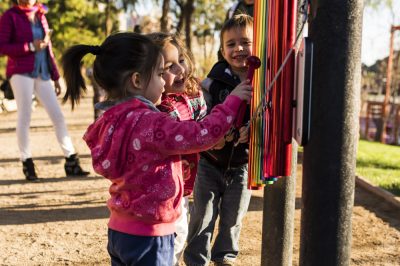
x,y
216,194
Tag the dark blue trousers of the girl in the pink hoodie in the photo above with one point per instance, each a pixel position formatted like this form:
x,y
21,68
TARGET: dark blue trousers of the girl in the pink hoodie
x,y
126,249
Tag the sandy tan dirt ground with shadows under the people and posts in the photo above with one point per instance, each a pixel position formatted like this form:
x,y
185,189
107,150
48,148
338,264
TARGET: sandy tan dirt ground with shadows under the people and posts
x,y
62,221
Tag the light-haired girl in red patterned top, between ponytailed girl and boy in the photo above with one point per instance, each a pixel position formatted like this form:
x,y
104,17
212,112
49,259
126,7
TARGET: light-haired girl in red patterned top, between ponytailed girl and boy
x,y
183,100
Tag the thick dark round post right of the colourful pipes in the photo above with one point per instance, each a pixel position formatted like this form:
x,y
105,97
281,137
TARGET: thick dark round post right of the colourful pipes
x,y
330,155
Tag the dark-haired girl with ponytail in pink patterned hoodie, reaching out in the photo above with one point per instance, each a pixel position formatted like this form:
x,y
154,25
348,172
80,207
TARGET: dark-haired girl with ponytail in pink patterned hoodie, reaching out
x,y
139,148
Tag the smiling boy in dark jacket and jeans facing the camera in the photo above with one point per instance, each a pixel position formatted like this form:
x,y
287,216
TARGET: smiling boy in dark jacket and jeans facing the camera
x,y
221,184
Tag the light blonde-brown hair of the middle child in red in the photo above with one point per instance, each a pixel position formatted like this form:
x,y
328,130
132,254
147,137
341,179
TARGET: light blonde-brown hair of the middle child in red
x,y
162,39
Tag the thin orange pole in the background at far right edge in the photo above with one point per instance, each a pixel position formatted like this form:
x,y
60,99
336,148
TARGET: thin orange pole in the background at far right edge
x,y
385,109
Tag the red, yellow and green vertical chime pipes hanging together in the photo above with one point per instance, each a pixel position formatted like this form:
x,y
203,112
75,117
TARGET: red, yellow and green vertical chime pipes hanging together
x,y
270,130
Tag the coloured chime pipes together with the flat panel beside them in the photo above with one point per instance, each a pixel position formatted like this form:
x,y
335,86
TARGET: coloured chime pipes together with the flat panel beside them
x,y
281,105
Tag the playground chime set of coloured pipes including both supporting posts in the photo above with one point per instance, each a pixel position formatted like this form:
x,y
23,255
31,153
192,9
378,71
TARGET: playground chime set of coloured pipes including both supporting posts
x,y
329,157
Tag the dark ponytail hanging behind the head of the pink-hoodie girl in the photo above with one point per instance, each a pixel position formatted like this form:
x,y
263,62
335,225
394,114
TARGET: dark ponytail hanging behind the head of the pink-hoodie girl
x,y
71,63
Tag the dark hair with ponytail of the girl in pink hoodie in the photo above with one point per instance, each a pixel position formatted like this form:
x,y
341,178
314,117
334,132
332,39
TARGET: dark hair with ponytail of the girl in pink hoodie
x,y
117,58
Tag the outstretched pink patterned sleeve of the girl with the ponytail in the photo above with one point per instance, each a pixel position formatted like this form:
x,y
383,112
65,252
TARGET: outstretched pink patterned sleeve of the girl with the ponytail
x,y
164,135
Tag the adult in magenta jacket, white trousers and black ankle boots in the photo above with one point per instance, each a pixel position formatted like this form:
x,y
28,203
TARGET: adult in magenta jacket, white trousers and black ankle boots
x,y
31,68
